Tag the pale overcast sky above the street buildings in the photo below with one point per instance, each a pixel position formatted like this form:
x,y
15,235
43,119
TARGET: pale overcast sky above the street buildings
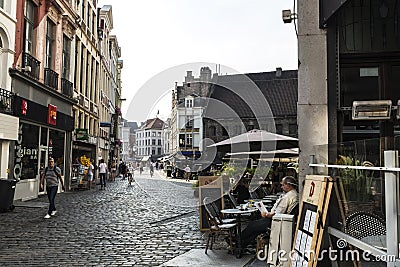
x,y
156,35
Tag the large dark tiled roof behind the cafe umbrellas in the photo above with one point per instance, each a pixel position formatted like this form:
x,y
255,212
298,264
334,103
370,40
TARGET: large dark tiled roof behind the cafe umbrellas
x,y
280,92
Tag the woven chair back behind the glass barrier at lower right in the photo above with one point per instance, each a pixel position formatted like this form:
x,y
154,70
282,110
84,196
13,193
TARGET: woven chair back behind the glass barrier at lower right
x,y
363,224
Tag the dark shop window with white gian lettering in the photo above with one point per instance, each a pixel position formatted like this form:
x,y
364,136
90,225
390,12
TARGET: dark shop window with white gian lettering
x,y
26,152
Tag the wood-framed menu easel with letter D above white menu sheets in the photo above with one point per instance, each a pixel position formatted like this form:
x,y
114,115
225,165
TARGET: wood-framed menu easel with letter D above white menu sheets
x,y
311,222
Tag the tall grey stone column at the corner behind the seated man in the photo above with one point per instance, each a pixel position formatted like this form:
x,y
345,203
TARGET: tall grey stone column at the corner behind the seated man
x,y
312,110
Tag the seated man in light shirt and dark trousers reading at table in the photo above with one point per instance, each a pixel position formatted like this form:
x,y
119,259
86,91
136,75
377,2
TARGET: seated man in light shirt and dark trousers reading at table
x,y
284,204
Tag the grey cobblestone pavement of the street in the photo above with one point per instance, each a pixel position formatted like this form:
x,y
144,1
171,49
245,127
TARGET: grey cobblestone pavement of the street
x,y
122,225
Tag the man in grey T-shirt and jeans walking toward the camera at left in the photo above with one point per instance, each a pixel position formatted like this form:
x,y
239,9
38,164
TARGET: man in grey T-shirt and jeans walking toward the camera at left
x,y
52,174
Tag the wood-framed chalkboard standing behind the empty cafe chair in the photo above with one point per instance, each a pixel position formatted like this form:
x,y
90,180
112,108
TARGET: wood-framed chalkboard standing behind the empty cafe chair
x,y
209,186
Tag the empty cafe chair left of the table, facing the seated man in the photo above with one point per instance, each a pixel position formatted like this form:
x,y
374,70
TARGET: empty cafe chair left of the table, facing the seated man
x,y
217,227
